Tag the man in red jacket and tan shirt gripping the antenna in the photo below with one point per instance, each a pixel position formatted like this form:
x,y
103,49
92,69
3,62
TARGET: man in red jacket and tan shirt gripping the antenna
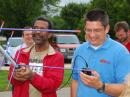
x,y
39,79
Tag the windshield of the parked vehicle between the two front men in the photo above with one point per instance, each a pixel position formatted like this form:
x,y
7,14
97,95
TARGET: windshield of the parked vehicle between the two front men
x,y
72,39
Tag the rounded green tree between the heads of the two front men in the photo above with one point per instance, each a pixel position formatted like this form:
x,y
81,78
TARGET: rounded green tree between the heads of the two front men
x,y
72,14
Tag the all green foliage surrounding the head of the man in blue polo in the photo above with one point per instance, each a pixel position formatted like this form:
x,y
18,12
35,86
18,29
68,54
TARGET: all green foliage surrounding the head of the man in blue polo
x,y
118,10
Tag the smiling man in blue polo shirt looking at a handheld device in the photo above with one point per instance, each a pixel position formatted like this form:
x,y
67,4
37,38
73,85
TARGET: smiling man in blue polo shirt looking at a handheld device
x,y
107,61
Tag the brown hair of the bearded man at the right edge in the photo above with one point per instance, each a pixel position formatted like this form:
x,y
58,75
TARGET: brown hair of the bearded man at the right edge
x,y
121,25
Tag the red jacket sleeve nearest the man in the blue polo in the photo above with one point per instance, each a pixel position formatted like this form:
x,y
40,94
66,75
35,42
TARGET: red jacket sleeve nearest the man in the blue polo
x,y
52,79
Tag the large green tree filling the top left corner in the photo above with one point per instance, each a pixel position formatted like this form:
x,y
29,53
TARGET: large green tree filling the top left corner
x,y
19,13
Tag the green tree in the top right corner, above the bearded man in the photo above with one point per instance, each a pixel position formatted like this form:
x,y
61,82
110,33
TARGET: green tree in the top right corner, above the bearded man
x,y
118,10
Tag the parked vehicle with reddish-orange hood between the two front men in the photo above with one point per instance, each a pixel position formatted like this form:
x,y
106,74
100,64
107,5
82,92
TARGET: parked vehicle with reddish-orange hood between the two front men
x,y
67,43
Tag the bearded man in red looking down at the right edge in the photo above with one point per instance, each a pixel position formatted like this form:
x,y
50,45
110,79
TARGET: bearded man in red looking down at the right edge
x,y
121,30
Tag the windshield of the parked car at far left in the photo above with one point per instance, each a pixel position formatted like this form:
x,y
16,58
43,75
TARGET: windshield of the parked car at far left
x,y
13,42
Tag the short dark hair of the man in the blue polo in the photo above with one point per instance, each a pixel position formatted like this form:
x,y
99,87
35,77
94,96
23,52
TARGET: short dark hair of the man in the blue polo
x,y
98,15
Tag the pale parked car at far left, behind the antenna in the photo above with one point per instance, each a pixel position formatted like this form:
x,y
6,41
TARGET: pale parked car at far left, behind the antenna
x,y
12,43
